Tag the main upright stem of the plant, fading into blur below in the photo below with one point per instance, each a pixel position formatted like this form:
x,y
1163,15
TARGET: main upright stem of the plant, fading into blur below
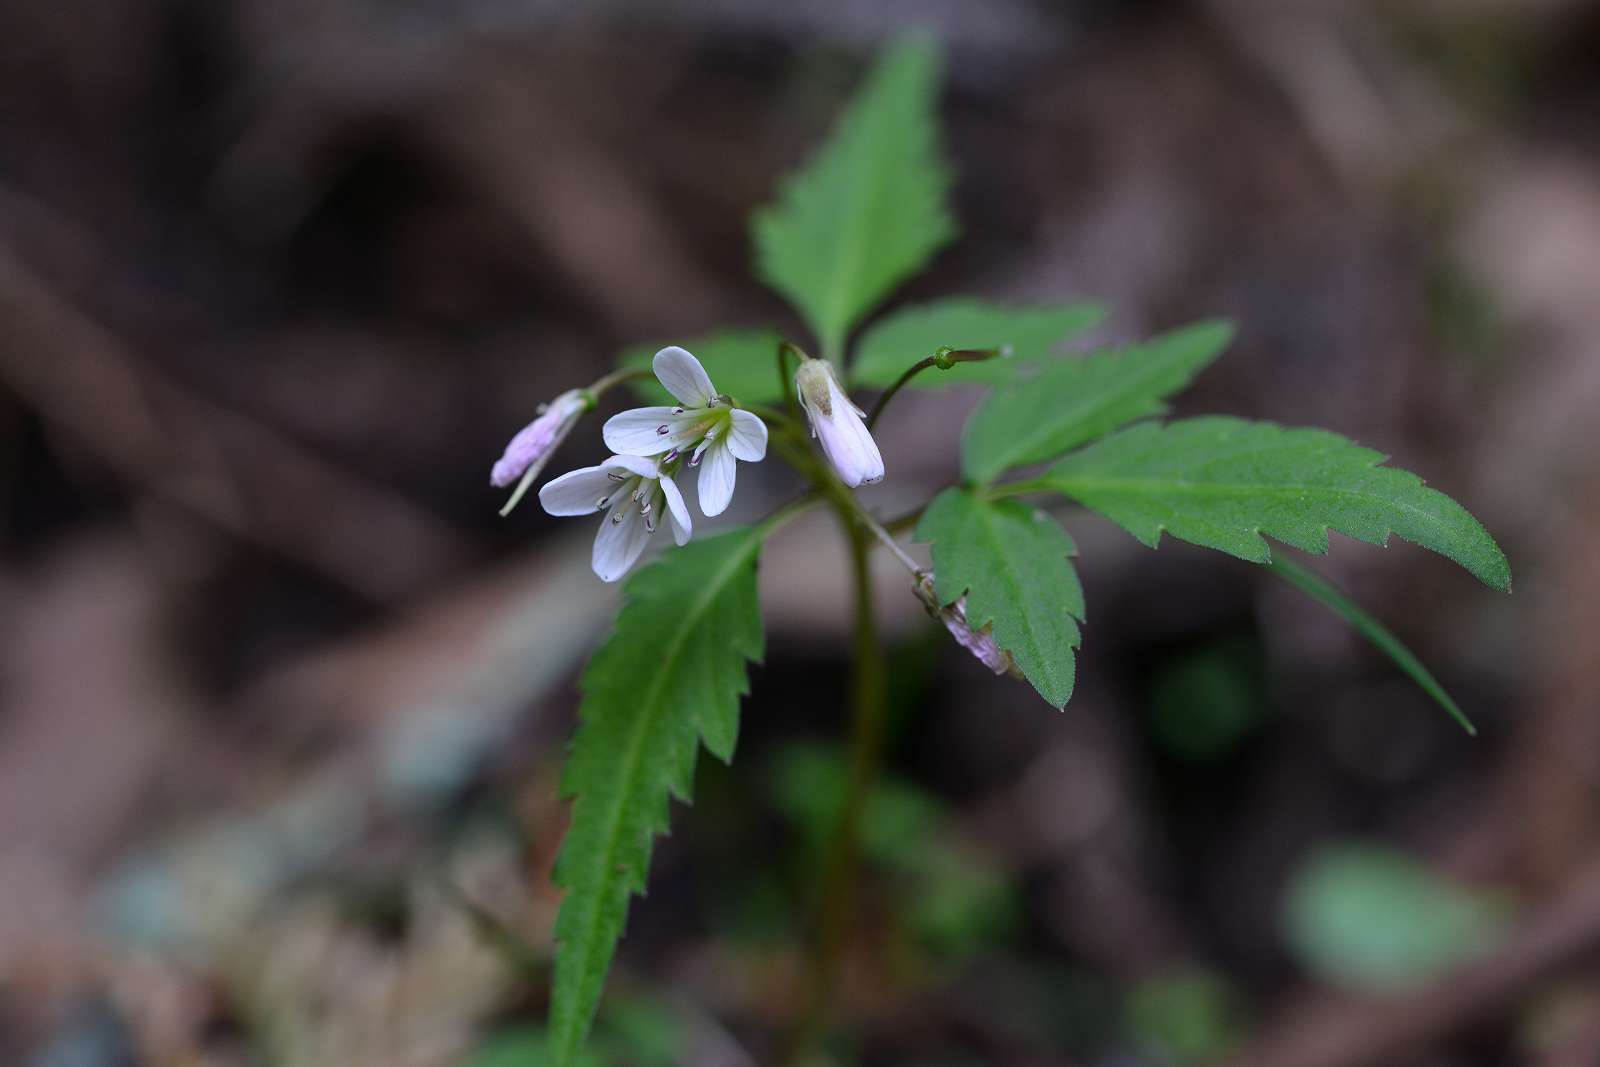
x,y
836,897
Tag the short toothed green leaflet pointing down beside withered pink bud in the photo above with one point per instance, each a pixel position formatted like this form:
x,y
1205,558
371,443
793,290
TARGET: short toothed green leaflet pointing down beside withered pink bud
x,y
1012,565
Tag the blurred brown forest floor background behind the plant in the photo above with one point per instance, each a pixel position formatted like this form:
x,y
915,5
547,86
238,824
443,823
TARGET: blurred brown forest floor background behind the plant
x,y
282,698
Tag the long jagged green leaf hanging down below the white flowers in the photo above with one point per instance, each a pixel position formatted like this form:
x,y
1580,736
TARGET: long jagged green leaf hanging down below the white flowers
x,y
666,681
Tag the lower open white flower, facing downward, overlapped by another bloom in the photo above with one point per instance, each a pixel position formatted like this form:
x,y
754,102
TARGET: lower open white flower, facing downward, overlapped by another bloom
x,y
631,490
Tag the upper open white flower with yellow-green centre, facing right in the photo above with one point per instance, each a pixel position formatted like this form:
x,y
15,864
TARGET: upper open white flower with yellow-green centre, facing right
x,y
705,422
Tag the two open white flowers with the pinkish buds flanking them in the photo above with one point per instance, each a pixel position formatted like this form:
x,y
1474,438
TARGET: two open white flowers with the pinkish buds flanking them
x,y
705,431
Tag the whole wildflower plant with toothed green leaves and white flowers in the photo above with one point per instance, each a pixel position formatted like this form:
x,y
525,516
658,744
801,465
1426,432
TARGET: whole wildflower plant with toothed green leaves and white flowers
x,y
868,212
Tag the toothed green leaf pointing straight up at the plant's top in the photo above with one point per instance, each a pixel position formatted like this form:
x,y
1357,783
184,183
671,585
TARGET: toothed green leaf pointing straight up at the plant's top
x,y
870,209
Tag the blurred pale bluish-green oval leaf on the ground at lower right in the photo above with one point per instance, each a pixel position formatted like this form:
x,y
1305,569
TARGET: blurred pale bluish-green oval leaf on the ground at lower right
x,y
1372,919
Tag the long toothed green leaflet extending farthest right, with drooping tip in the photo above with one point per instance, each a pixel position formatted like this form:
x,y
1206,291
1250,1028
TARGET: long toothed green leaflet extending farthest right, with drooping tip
x,y
1223,484
